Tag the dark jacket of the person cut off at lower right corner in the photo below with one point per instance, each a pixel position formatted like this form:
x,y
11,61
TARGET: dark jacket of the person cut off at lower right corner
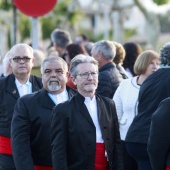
x,y
159,139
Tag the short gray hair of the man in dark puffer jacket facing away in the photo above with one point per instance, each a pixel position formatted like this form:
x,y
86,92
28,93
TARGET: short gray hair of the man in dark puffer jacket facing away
x,y
106,47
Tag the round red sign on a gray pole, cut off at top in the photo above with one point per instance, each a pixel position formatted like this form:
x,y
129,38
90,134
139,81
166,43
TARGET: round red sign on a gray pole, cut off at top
x,y
35,8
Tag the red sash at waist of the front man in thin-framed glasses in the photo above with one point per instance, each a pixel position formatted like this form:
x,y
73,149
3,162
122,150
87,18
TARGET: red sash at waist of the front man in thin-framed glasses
x,y
100,159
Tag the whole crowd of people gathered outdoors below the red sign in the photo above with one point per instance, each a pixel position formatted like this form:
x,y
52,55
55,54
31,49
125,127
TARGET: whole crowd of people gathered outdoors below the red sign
x,y
85,105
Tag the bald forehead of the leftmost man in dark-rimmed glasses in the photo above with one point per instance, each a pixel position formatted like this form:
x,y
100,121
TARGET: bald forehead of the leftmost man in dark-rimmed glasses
x,y
21,52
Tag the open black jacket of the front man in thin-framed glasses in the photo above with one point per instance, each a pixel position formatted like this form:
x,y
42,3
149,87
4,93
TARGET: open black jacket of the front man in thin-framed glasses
x,y
73,134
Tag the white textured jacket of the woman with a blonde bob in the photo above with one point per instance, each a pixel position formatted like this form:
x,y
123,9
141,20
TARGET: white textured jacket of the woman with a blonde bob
x,y
126,101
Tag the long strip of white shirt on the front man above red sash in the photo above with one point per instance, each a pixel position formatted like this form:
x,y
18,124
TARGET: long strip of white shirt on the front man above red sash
x,y
91,105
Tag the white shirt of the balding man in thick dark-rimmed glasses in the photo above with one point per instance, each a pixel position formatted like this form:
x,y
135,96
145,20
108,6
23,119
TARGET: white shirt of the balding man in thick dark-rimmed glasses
x,y
23,88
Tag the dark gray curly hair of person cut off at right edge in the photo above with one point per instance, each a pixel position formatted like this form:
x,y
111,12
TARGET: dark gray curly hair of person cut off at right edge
x,y
165,54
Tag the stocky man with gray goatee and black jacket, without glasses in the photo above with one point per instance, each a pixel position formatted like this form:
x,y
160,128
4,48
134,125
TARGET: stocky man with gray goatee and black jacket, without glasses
x,y
31,119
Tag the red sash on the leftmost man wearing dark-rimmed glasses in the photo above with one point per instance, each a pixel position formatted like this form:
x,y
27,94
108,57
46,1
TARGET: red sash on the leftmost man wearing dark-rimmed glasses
x,y
5,145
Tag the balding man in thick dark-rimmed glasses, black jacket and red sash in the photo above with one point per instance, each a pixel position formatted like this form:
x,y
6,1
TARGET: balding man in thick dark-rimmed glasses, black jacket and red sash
x,y
15,85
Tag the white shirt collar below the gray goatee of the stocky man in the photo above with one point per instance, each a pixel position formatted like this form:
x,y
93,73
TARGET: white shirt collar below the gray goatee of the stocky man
x,y
59,98
